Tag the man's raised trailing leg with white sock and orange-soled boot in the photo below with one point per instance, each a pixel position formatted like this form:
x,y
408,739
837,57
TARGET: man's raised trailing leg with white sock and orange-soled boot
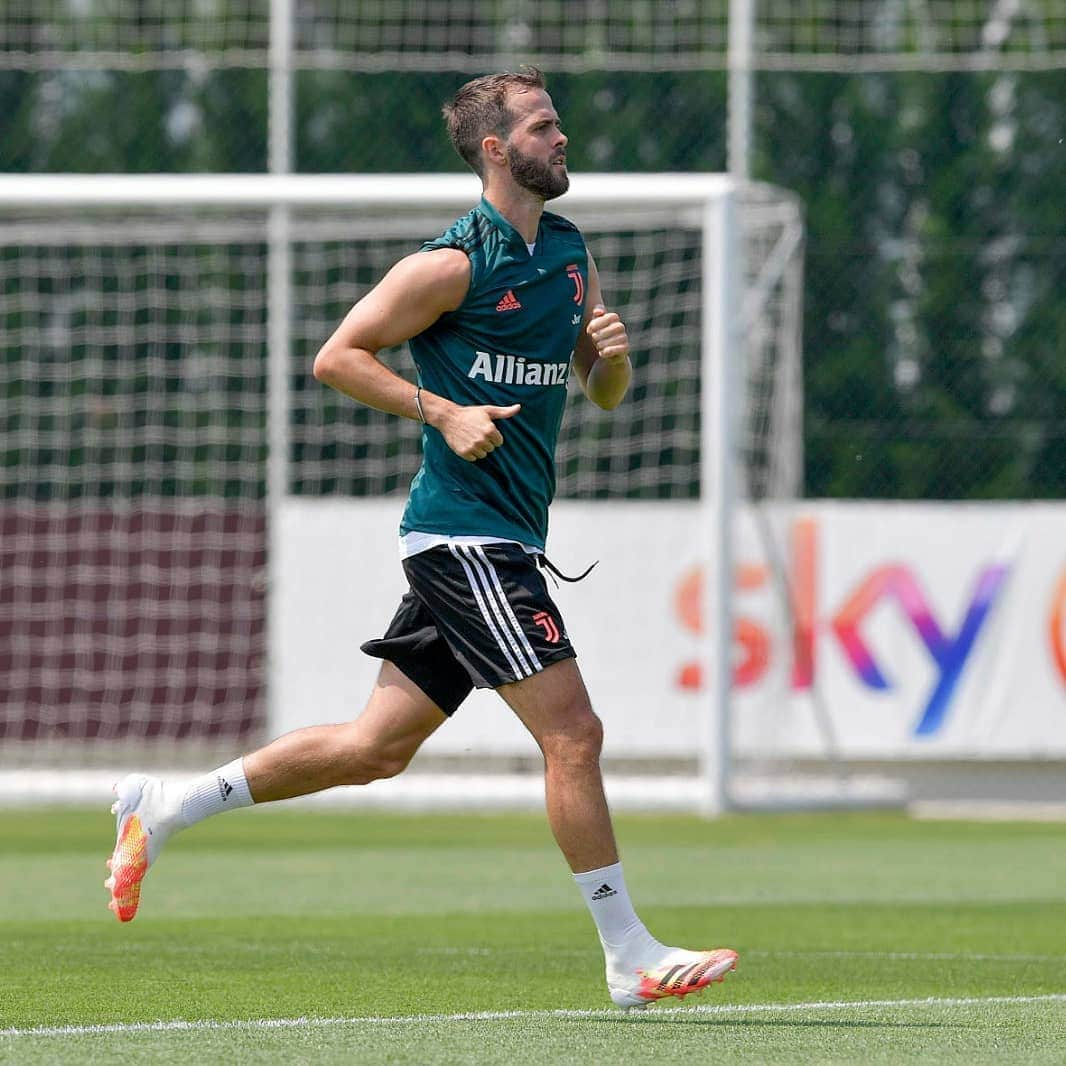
x,y
380,744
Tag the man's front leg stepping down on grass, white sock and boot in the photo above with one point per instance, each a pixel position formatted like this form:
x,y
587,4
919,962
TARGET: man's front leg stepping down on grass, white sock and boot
x,y
554,705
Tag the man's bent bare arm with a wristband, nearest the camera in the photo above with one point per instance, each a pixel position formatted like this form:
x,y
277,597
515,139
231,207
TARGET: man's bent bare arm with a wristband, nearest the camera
x,y
409,300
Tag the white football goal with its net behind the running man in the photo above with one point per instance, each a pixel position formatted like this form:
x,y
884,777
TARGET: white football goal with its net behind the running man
x,y
197,538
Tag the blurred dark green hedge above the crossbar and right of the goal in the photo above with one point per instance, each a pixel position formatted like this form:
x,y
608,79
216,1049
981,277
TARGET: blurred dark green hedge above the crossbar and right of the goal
x,y
936,239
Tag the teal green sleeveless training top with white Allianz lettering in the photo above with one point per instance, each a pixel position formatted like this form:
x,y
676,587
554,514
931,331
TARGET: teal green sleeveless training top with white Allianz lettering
x,y
511,342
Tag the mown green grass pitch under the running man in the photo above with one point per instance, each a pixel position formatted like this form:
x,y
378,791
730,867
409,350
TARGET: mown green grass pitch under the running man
x,y
295,936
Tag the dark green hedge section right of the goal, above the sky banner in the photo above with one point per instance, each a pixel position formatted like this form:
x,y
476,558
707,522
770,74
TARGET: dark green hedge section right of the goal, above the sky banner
x,y
934,252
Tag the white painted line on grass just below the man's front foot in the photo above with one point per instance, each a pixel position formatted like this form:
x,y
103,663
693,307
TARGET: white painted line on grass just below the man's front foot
x,y
422,1020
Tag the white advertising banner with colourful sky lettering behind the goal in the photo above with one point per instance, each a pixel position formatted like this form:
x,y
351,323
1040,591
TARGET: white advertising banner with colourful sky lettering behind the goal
x,y
882,631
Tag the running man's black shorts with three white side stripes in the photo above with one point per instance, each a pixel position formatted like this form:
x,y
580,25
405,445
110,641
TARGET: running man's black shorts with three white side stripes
x,y
475,617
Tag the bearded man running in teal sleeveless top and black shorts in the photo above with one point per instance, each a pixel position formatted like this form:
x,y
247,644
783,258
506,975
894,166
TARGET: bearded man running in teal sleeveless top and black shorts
x,y
497,312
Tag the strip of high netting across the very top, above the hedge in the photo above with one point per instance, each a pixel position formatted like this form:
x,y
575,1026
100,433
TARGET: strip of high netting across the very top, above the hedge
x,y
435,35
